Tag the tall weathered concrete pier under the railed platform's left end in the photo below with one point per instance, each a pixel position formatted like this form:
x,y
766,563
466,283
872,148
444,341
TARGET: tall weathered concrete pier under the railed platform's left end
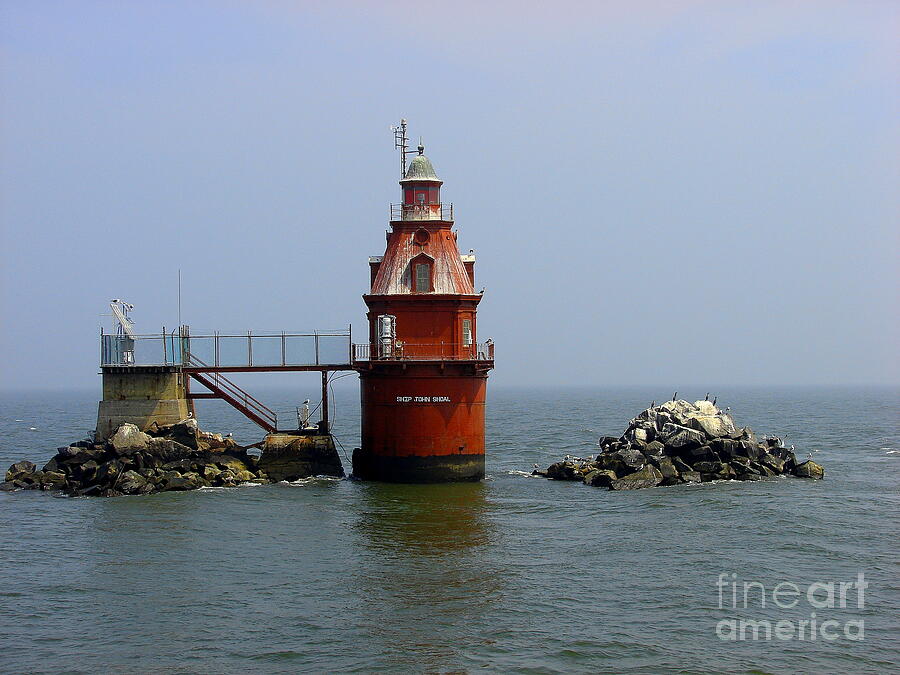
x,y
141,395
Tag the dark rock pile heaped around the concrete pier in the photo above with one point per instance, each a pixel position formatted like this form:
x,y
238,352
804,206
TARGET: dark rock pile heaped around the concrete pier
x,y
172,457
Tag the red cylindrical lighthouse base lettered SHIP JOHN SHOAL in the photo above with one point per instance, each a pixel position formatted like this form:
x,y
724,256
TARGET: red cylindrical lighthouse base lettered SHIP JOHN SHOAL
x,y
421,422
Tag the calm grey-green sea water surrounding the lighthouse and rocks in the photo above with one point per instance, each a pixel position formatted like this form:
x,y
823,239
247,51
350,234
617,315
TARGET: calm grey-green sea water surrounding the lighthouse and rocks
x,y
514,574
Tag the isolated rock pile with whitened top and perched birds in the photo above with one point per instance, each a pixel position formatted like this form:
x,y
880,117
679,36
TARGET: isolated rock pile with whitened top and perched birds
x,y
682,442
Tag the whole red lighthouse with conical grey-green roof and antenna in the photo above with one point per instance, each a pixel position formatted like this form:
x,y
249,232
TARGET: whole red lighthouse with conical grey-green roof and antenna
x,y
423,373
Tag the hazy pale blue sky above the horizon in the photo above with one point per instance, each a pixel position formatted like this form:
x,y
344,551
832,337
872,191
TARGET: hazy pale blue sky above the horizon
x,y
669,193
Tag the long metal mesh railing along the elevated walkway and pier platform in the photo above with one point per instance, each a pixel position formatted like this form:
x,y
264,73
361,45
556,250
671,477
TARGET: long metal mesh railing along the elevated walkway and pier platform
x,y
227,350
